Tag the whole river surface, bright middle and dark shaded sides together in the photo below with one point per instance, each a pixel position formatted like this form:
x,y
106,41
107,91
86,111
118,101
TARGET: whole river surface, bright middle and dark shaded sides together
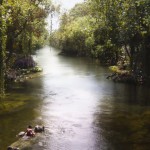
x,y
80,108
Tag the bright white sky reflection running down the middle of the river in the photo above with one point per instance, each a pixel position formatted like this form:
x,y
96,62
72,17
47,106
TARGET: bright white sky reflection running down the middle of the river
x,y
71,87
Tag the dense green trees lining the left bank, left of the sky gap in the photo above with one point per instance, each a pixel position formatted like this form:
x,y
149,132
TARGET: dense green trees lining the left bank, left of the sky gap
x,y
22,30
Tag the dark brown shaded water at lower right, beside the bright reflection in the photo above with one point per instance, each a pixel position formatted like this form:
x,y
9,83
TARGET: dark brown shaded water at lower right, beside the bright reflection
x,y
123,118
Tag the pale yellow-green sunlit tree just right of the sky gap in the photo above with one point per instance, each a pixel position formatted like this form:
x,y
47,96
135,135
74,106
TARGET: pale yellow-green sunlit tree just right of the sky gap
x,y
75,35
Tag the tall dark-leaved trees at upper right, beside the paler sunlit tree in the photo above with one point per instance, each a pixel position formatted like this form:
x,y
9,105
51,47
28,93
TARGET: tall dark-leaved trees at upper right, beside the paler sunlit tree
x,y
126,24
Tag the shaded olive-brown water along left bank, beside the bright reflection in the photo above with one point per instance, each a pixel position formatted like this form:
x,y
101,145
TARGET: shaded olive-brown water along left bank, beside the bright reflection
x,y
12,123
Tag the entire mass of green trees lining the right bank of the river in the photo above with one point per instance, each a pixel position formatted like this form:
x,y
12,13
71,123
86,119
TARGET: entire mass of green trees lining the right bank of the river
x,y
116,32
